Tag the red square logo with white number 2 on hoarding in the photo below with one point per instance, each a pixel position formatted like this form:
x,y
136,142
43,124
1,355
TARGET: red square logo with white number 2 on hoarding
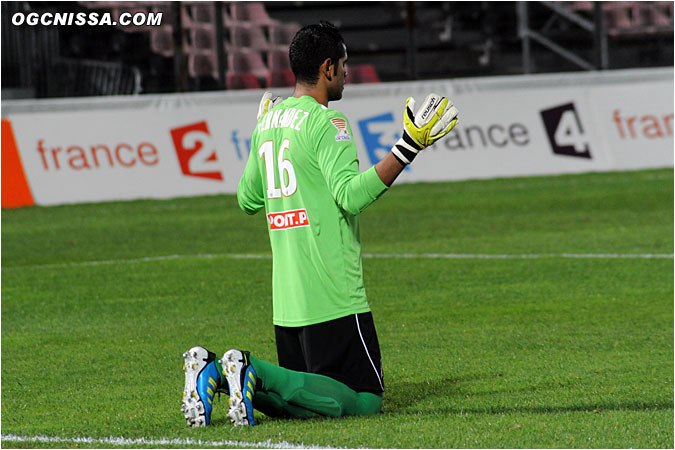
x,y
195,150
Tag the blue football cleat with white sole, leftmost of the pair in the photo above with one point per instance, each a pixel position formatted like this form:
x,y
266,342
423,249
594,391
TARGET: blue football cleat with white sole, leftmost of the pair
x,y
201,383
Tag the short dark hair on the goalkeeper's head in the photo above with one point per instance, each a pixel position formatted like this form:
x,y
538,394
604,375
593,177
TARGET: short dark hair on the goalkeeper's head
x,y
311,46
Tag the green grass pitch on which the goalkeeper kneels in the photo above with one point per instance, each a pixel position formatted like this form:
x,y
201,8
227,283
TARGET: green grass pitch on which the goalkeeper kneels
x,y
499,353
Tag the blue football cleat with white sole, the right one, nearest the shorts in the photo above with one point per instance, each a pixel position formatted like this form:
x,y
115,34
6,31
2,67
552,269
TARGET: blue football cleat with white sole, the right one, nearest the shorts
x,y
241,378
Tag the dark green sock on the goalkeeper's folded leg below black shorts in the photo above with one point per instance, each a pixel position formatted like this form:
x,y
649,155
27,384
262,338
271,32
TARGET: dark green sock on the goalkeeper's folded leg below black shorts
x,y
317,393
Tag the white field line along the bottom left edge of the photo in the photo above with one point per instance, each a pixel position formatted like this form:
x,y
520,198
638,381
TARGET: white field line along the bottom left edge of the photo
x,y
185,442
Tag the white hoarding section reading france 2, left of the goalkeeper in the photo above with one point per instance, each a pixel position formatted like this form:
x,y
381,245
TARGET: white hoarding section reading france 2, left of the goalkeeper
x,y
80,157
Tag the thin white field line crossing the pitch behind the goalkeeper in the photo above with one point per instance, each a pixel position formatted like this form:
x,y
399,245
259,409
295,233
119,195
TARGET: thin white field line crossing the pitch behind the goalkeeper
x,y
365,255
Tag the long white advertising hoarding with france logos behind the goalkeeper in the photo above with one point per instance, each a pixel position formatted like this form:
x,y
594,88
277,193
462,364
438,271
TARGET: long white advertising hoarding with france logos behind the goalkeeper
x,y
183,145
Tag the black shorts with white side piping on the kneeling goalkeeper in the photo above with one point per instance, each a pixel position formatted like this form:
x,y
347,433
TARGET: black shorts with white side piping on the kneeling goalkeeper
x,y
345,349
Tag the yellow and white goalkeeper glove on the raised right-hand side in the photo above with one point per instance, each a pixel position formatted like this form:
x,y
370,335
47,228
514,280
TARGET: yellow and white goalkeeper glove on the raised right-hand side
x,y
434,119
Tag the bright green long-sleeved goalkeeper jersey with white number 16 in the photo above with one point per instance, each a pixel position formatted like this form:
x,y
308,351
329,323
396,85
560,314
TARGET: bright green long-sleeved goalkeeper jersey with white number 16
x,y
304,170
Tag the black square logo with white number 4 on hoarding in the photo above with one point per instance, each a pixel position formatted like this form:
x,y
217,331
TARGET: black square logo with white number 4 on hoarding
x,y
565,131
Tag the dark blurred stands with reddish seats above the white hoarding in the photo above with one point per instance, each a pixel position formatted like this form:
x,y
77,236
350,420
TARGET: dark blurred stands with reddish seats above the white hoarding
x,y
205,46
